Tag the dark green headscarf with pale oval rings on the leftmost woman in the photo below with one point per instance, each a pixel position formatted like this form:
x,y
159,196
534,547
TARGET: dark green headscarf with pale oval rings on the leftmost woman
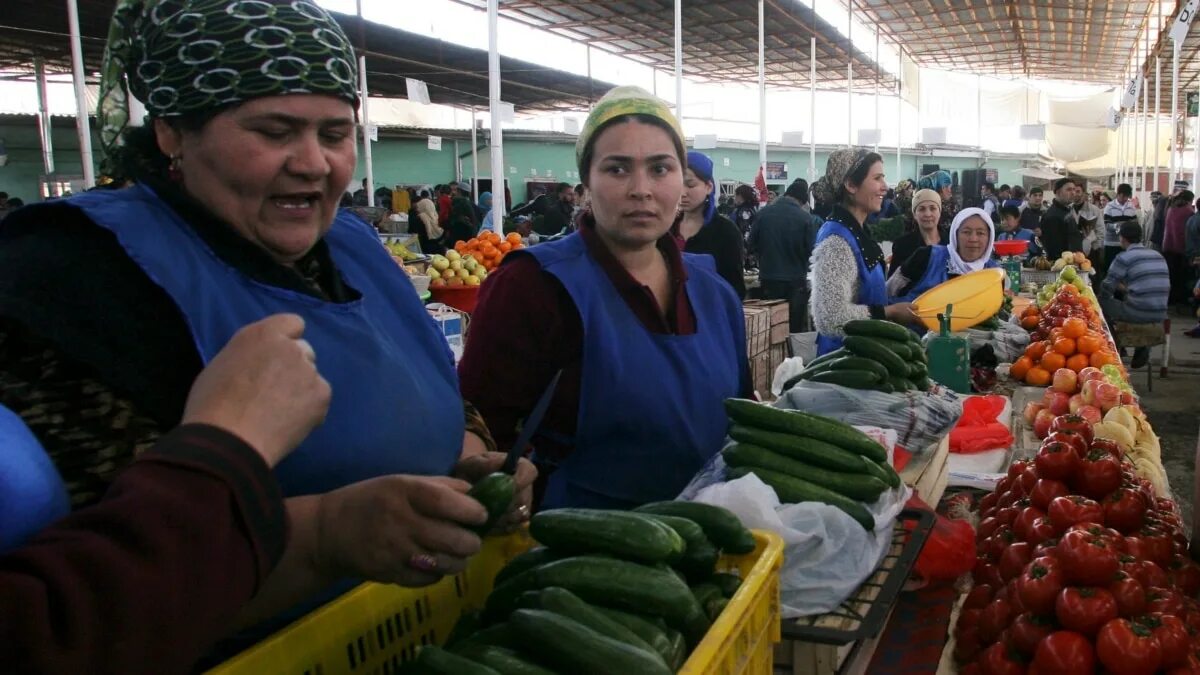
x,y
183,57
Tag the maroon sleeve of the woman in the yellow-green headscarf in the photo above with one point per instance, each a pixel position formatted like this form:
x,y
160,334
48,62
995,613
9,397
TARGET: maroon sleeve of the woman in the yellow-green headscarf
x,y
525,328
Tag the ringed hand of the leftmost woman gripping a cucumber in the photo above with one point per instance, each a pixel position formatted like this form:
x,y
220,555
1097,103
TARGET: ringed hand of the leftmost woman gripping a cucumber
x,y
407,530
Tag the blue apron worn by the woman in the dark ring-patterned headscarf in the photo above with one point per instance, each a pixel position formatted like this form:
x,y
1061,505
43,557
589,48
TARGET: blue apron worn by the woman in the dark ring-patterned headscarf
x,y
397,407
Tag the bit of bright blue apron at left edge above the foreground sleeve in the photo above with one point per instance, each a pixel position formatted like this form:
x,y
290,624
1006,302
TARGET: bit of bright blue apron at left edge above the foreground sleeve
x,y
32,492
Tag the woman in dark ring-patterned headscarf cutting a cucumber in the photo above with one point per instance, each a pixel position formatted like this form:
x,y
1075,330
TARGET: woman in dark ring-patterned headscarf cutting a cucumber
x,y
111,302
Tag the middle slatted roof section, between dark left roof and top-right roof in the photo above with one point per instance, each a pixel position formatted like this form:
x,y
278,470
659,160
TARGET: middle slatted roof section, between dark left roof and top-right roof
x,y
721,39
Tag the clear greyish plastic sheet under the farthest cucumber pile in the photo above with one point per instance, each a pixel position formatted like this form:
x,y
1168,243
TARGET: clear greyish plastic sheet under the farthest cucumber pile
x,y
921,420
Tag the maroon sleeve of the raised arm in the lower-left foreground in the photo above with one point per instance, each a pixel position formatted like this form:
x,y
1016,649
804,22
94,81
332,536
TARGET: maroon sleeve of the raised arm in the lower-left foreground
x,y
152,576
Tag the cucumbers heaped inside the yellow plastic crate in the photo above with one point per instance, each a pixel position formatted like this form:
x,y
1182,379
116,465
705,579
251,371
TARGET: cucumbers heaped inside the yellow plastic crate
x,y
608,592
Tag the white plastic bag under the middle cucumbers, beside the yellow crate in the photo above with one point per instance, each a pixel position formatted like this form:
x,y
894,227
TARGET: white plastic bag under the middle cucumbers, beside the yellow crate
x,y
827,555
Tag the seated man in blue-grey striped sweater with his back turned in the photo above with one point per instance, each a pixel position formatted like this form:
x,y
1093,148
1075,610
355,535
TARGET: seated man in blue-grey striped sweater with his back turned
x,y
1137,286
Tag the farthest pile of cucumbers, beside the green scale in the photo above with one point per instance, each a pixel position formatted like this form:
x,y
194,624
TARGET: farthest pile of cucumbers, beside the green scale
x,y
875,355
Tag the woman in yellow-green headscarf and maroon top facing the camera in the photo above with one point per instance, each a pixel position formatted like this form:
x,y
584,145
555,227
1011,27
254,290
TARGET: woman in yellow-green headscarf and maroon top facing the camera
x,y
629,321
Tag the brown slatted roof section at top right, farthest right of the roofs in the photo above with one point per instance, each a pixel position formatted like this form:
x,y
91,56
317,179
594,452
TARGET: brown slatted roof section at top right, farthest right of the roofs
x,y
1076,40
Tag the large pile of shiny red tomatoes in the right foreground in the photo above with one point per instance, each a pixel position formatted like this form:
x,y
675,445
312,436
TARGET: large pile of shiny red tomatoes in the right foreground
x,y
1081,570
